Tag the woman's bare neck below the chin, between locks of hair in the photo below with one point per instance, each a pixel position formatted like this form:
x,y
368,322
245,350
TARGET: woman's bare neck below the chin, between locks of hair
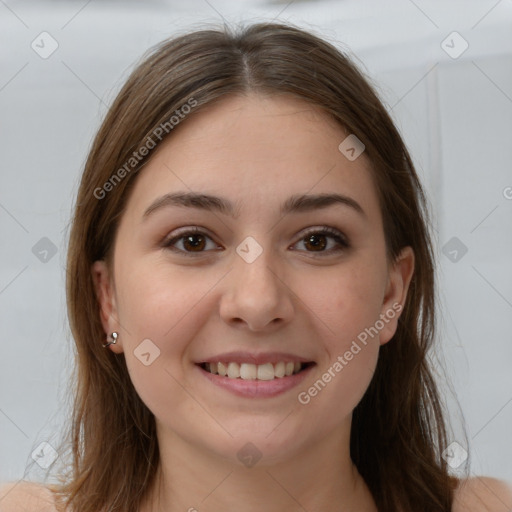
x,y
319,477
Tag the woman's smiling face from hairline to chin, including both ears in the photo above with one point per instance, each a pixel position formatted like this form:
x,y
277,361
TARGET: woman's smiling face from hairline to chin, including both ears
x,y
278,265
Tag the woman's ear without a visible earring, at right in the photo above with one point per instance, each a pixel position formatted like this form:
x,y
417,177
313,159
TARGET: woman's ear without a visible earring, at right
x,y
399,278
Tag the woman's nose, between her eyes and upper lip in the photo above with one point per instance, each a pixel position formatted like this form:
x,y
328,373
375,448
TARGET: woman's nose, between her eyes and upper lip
x,y
256,295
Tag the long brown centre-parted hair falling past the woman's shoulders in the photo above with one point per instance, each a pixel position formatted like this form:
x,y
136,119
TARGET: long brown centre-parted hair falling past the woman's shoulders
x,y
398,429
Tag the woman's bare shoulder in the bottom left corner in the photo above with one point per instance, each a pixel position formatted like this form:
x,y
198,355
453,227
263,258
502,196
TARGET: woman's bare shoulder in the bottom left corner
x,y
25,496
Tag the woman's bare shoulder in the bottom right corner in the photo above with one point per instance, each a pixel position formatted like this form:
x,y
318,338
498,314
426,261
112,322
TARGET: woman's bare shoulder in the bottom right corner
x,y
483,494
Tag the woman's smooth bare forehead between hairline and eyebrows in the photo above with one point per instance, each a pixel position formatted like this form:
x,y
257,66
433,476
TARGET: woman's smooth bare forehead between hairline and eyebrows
x,y
256,149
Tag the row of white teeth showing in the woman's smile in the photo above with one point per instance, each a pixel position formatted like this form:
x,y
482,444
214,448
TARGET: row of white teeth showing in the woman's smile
x,y
248,371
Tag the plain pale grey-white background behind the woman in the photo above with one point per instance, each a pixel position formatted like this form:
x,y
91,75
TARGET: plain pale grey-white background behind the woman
x,y
454,113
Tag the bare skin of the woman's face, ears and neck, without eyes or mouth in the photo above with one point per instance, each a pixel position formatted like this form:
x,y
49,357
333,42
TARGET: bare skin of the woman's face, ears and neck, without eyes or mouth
x,y
255,151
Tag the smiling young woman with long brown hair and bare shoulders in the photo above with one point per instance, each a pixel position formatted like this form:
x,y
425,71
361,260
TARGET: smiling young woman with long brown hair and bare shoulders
x,y
251,292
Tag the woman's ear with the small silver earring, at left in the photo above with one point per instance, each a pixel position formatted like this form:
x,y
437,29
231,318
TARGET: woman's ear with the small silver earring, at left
x,y
105,294
